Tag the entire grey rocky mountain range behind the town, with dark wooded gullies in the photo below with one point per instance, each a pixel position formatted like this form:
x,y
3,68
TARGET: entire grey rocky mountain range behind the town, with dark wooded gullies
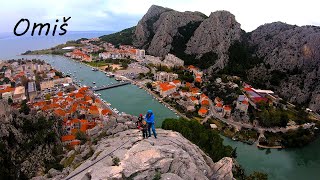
x,y
279,56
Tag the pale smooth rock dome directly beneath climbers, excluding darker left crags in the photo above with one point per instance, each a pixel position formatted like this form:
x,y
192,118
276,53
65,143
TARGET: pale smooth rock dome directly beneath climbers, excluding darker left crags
x,y
171,155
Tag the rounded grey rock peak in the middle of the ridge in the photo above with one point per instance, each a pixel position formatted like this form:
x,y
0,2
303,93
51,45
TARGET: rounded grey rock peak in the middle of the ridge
x,y
215,34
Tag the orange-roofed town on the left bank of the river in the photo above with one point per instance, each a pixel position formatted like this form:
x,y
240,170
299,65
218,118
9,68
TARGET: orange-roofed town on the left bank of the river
x,y
48,91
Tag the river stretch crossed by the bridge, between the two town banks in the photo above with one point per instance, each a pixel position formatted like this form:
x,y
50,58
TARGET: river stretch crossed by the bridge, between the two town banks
x,y
129,99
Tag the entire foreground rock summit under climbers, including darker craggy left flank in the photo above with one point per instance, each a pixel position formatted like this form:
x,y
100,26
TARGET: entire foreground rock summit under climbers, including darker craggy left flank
x,y
170,155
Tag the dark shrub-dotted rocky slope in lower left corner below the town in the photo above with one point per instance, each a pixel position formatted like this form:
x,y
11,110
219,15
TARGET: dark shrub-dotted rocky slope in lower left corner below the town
x,y
29,144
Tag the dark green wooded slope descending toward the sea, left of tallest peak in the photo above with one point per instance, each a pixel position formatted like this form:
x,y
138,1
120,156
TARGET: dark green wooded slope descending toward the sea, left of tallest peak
x,y
124,37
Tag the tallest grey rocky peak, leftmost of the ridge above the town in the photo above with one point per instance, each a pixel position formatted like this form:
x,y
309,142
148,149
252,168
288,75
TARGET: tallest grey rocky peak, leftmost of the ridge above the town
x,y
156,30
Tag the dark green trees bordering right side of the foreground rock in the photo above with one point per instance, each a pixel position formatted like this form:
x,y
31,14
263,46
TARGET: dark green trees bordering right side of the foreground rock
x,y
208,140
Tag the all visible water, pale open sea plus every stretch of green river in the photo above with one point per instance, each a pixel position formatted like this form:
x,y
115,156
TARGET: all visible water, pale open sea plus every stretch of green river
x,y
302,163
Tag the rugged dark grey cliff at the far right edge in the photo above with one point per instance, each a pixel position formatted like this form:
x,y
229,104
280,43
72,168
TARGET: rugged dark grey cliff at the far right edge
x,y
294,52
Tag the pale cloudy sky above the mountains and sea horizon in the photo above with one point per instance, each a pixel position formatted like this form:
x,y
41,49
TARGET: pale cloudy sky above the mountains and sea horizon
x,y
114,15
